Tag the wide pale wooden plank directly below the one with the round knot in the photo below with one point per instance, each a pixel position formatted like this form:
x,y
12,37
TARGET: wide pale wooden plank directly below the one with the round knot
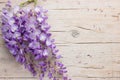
x,y
82,61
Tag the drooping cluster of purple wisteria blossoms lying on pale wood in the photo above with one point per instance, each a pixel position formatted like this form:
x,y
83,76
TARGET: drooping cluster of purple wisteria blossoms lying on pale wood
x,y
26,35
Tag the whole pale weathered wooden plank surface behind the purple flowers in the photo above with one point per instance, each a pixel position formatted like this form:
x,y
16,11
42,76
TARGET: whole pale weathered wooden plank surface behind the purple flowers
x,y
87,32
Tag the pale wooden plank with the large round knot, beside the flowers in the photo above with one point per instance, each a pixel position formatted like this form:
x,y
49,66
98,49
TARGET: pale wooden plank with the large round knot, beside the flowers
x,y
81,26
